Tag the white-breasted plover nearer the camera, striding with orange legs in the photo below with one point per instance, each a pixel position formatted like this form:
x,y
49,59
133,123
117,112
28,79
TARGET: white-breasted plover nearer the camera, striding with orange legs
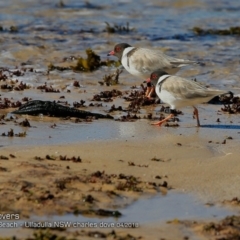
x,y
180,92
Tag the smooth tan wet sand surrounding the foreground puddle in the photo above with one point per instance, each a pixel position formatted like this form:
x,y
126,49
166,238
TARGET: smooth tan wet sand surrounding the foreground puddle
x,y
189,163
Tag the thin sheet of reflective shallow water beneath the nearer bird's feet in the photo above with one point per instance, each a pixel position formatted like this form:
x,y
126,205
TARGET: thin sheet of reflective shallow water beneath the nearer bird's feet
x,y
43,131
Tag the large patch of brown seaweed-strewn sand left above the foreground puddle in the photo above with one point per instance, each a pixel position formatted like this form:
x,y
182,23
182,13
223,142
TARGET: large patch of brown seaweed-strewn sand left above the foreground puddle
x,y
53,197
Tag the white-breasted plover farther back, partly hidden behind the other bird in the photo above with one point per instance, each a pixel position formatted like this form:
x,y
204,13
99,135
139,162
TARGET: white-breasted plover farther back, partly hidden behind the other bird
x,y
142,62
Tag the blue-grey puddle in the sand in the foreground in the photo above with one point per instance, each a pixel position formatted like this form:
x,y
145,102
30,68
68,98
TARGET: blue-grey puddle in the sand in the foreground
x,y
156,209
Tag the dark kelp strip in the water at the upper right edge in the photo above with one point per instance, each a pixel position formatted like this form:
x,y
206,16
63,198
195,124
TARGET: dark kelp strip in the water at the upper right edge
x,y
224,32
